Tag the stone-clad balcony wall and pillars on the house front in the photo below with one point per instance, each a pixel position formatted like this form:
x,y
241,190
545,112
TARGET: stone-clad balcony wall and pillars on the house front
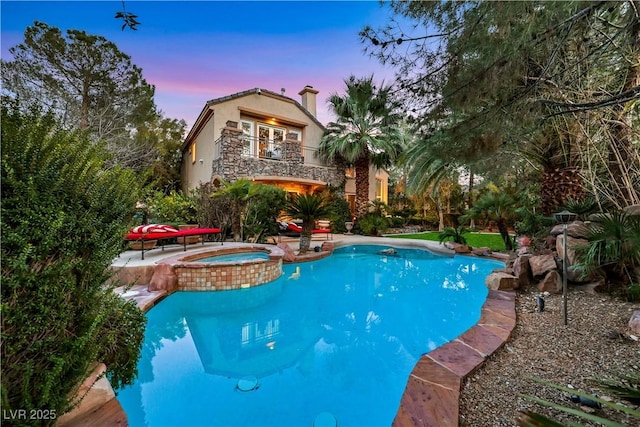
x,y
232,165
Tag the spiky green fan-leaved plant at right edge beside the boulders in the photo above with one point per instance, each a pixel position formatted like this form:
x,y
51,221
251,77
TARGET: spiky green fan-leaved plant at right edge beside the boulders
x,y
614,247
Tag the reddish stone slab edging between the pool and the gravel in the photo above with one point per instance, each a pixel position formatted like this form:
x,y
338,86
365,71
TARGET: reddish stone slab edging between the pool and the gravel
x,y
431,397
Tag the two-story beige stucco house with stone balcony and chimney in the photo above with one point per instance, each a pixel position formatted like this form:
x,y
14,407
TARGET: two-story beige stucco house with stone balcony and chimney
x,y
269,138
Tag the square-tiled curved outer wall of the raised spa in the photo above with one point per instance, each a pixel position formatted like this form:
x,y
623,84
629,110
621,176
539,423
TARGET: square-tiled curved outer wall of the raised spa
x,y
207,277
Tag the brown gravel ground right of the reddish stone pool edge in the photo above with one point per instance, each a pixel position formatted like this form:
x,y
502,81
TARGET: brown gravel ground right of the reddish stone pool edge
x,y
595,343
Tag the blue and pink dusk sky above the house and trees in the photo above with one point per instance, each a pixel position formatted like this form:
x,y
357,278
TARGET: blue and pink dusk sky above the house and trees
x,y
196,51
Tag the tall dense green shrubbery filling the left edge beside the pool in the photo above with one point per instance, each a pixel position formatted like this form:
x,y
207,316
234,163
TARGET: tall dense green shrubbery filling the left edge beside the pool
x,y
62,219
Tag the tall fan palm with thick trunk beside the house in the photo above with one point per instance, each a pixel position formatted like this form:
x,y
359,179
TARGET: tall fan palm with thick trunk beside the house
x,y
363,134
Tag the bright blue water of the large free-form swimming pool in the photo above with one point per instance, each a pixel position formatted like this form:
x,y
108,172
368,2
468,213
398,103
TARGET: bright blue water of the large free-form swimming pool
x,y
334,338
